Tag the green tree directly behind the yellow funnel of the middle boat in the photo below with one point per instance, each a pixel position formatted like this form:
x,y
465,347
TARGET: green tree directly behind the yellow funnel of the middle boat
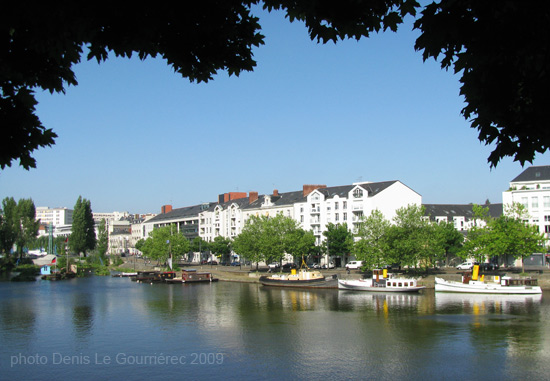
x,y
372,244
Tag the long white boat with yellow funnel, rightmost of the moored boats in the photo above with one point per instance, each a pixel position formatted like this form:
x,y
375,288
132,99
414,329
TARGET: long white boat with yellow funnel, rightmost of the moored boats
x,y
495,285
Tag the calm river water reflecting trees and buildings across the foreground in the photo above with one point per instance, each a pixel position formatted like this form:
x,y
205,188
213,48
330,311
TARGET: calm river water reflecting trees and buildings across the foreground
x,y
99,328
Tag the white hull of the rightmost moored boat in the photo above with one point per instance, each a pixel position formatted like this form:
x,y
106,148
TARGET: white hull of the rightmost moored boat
x,y
442,285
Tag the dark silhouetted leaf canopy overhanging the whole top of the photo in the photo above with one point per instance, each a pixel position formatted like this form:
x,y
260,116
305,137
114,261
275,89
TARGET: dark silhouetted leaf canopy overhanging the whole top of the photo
x,y
498,47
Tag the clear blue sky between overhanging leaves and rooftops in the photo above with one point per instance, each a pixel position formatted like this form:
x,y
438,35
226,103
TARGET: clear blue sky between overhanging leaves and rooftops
x,y
134,136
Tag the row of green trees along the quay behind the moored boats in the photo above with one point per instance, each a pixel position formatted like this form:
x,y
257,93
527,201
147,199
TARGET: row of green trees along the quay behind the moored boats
x,y
411,240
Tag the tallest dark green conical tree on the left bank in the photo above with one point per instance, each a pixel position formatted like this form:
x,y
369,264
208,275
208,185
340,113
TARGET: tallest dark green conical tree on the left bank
x,y
82,237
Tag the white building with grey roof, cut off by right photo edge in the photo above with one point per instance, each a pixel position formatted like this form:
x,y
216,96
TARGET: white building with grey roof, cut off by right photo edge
x,y
531,188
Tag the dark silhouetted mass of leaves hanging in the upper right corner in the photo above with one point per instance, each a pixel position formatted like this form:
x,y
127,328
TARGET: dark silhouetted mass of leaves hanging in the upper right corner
x,y
505,71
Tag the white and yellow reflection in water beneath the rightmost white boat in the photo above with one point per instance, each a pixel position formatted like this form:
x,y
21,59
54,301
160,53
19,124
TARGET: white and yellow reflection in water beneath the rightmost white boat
x,y
485,303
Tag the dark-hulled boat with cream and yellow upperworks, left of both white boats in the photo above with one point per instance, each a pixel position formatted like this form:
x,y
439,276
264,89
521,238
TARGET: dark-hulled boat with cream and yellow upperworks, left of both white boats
x,y
302,278
